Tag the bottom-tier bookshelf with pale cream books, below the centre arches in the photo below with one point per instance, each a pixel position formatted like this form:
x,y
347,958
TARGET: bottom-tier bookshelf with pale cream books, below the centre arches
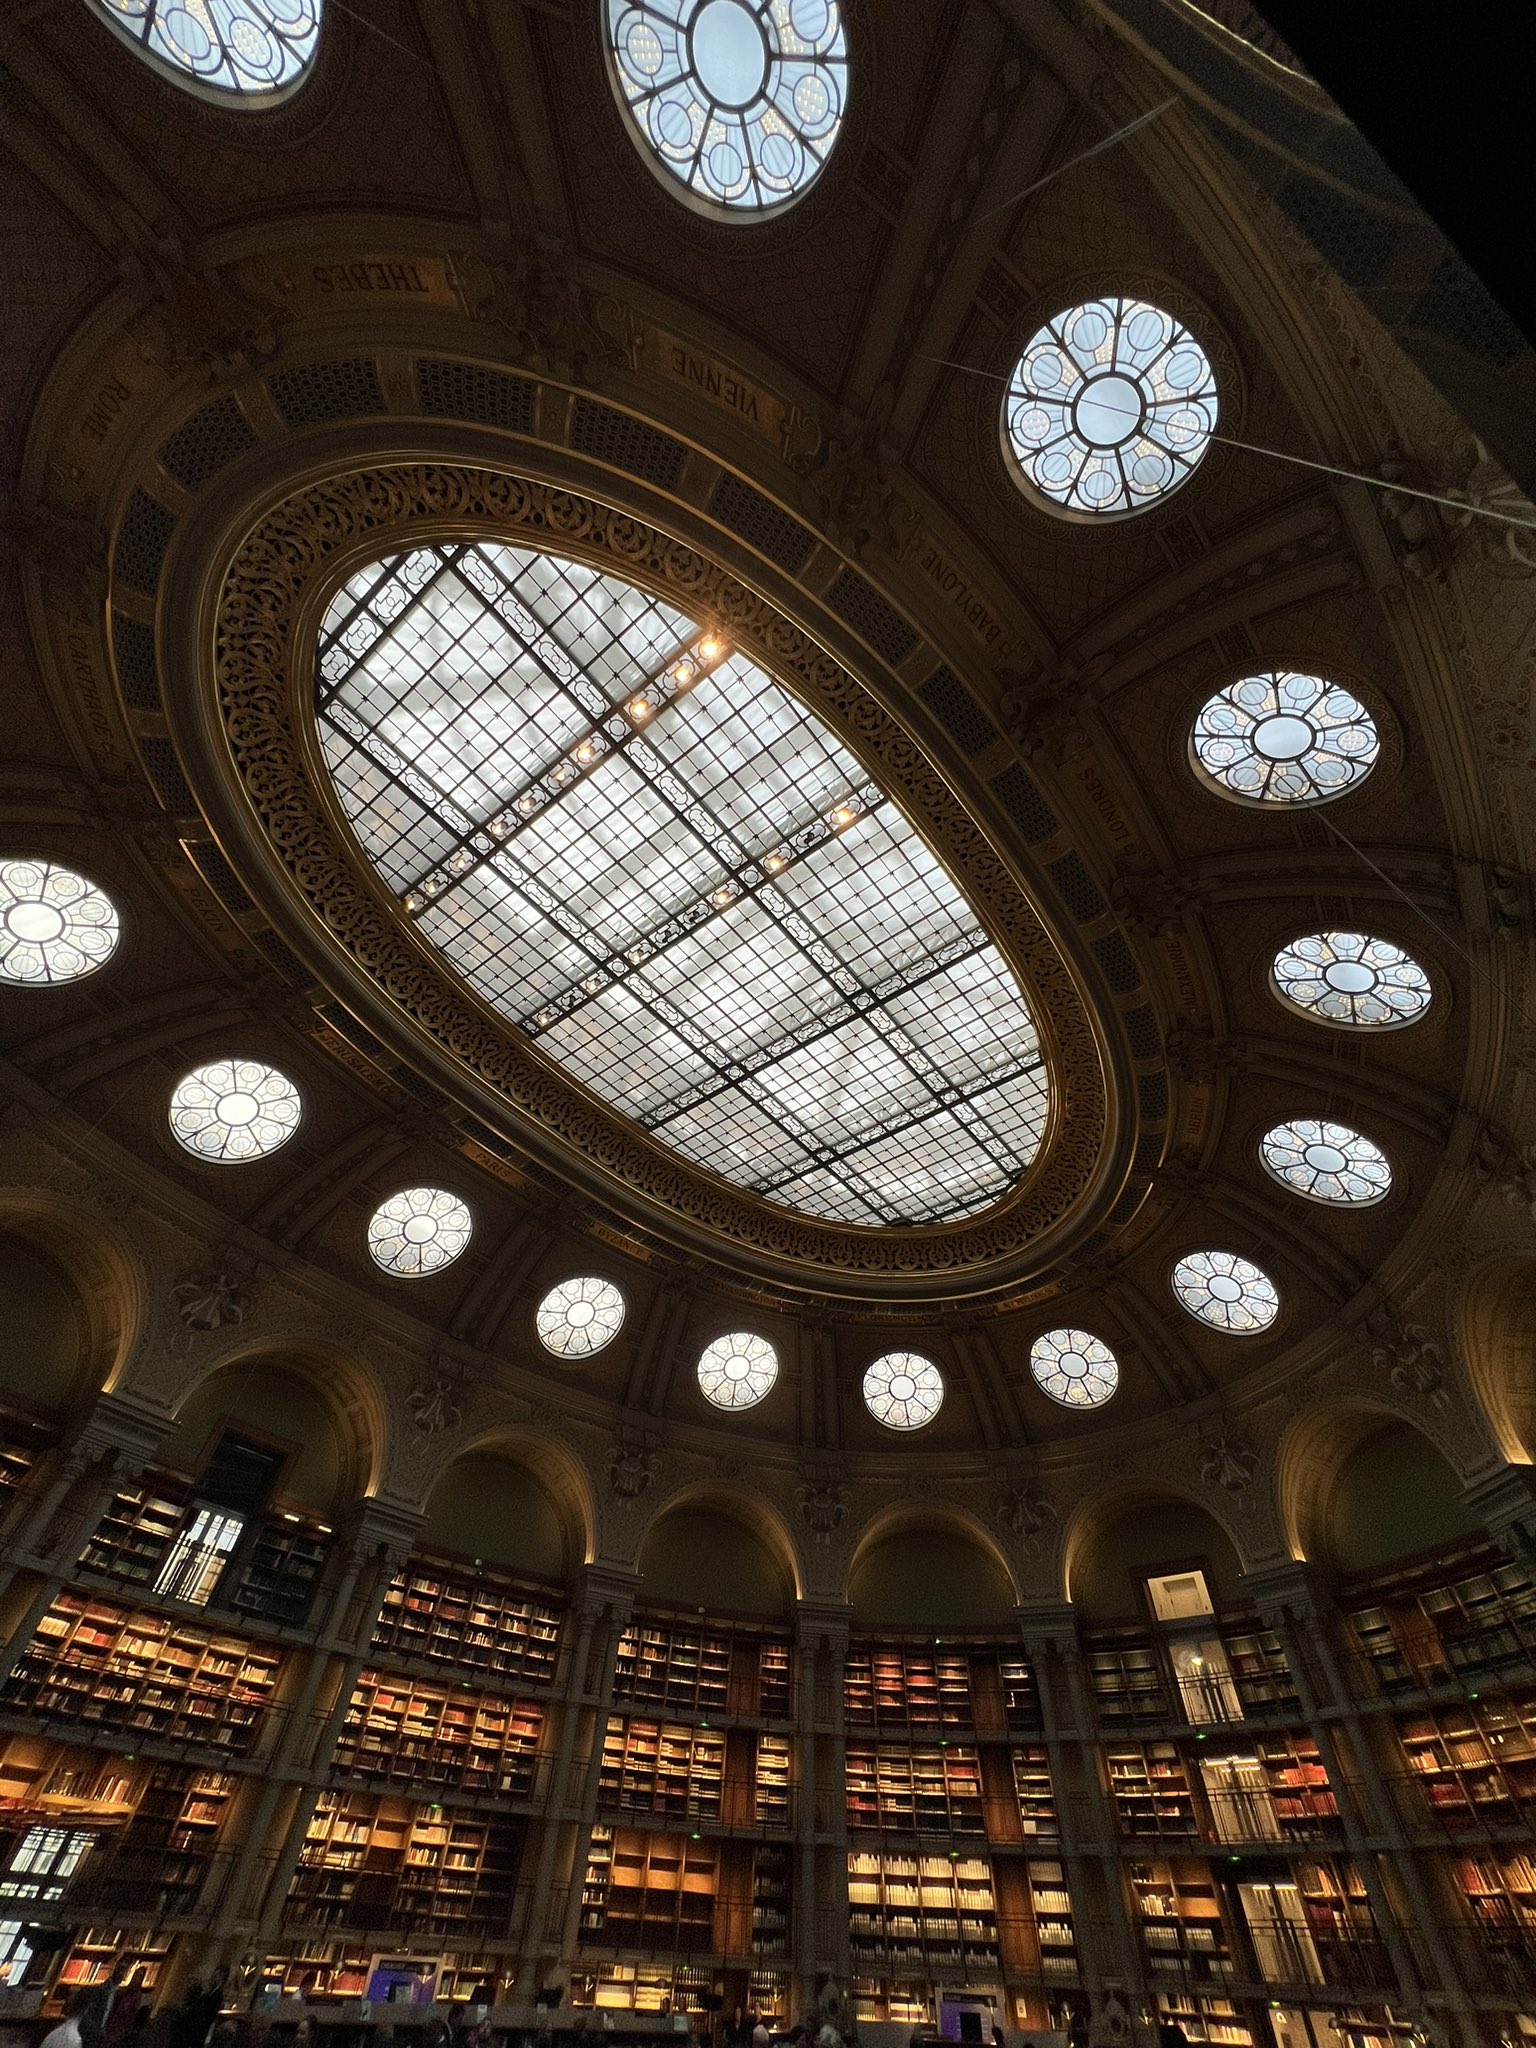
x,y
923,1918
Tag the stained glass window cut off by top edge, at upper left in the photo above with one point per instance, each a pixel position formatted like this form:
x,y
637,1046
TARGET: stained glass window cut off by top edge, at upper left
x,y
253,48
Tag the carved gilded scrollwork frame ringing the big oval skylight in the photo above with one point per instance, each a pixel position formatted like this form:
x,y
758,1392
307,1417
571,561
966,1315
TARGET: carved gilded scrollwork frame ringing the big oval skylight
x,y
265,693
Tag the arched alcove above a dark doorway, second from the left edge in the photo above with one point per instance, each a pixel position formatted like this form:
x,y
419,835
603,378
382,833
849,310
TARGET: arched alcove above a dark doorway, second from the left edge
x,y
282,1404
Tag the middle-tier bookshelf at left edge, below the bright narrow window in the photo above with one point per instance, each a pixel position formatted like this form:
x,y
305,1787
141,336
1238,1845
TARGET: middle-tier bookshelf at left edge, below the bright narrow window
x,y
144,1674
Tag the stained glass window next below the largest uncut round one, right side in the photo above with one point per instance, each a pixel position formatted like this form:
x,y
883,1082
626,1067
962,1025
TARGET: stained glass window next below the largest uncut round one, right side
x,y
1285,738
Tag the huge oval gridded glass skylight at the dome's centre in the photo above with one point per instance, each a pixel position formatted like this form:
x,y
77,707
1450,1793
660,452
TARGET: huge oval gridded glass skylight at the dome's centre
x,y
644,853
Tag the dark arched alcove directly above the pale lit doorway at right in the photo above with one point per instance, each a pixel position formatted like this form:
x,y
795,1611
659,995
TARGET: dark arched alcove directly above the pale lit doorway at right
x,y
1125,1539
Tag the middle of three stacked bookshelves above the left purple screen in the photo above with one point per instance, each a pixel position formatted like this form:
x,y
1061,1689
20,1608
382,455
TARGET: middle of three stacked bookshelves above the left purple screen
x,y
423,1736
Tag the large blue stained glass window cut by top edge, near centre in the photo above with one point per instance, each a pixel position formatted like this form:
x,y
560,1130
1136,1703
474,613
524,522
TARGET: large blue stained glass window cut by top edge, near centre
x,y
740,101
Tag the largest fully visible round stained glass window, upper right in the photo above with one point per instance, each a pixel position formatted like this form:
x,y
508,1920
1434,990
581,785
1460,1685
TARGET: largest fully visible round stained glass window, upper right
x,y
1111,407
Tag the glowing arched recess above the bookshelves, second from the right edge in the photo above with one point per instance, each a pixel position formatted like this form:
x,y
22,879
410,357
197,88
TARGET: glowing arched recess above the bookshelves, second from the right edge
x,y
1320,1461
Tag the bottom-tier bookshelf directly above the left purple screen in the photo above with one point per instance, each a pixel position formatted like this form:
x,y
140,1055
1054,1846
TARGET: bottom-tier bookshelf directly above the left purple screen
x,y
392,1865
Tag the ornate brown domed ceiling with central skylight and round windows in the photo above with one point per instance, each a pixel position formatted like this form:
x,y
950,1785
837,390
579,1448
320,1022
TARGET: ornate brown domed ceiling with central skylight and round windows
x,y
712,765
